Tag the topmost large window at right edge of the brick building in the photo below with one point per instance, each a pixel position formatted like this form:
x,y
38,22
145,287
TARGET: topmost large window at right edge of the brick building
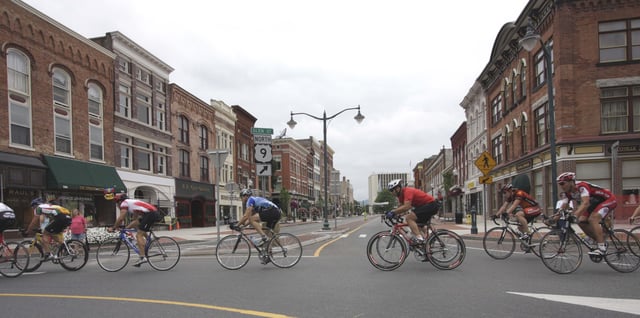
x,y
619,41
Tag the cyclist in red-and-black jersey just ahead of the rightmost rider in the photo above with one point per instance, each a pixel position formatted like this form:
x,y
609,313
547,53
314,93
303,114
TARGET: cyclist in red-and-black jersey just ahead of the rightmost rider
x,y
521,205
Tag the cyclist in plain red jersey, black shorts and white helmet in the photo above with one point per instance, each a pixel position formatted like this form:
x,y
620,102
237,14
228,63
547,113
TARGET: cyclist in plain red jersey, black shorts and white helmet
x,y
424,207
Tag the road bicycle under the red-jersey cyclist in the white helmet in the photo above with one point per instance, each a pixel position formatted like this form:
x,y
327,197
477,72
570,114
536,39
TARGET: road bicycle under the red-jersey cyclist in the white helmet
x,y
387,250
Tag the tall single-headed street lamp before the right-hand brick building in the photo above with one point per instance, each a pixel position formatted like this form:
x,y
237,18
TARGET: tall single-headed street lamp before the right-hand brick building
x,y
528,42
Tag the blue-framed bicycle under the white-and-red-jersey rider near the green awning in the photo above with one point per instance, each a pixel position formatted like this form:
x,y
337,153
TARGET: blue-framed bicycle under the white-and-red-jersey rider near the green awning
x,y
163,252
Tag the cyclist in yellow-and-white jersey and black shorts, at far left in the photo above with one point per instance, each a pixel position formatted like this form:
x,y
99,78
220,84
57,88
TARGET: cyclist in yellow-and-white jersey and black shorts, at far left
x,y
58,217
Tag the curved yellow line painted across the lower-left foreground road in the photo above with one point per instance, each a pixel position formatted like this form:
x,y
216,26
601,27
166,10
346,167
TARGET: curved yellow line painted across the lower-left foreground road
x,y
154,301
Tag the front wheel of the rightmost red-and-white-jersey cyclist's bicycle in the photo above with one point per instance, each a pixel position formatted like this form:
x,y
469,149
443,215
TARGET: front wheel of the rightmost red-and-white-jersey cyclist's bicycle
x,y
560,252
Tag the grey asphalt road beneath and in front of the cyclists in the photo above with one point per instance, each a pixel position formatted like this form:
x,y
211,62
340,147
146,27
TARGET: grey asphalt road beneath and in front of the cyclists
x,y
334,279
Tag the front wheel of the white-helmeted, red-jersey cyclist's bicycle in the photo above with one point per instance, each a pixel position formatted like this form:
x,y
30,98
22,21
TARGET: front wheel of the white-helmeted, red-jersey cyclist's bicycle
x,y
386,251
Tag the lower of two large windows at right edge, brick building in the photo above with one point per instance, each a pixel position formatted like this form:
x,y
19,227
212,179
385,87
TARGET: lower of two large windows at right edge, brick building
x,y
616,115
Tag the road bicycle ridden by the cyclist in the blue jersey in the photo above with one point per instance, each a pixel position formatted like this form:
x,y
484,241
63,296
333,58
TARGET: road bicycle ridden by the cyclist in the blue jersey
x,y
233,252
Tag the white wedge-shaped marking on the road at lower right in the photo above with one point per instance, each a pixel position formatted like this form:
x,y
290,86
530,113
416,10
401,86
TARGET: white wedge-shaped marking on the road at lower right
x,y
630,306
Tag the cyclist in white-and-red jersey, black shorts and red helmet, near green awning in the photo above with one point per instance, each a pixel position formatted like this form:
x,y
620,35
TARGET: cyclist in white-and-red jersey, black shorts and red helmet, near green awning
x,y
145,216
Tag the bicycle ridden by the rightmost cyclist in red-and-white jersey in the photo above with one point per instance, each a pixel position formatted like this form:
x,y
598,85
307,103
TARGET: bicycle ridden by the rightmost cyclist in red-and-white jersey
x,y
561,248
